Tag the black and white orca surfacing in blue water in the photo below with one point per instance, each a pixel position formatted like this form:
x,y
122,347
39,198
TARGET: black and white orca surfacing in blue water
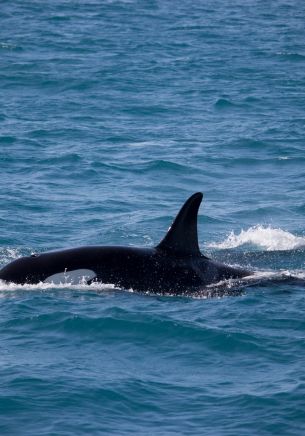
x,y
175,265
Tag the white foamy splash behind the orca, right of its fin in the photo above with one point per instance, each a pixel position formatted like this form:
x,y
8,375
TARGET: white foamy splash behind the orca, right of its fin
x,y
267,238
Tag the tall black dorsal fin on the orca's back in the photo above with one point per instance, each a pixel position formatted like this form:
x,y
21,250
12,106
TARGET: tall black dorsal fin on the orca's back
x,y
182,236
